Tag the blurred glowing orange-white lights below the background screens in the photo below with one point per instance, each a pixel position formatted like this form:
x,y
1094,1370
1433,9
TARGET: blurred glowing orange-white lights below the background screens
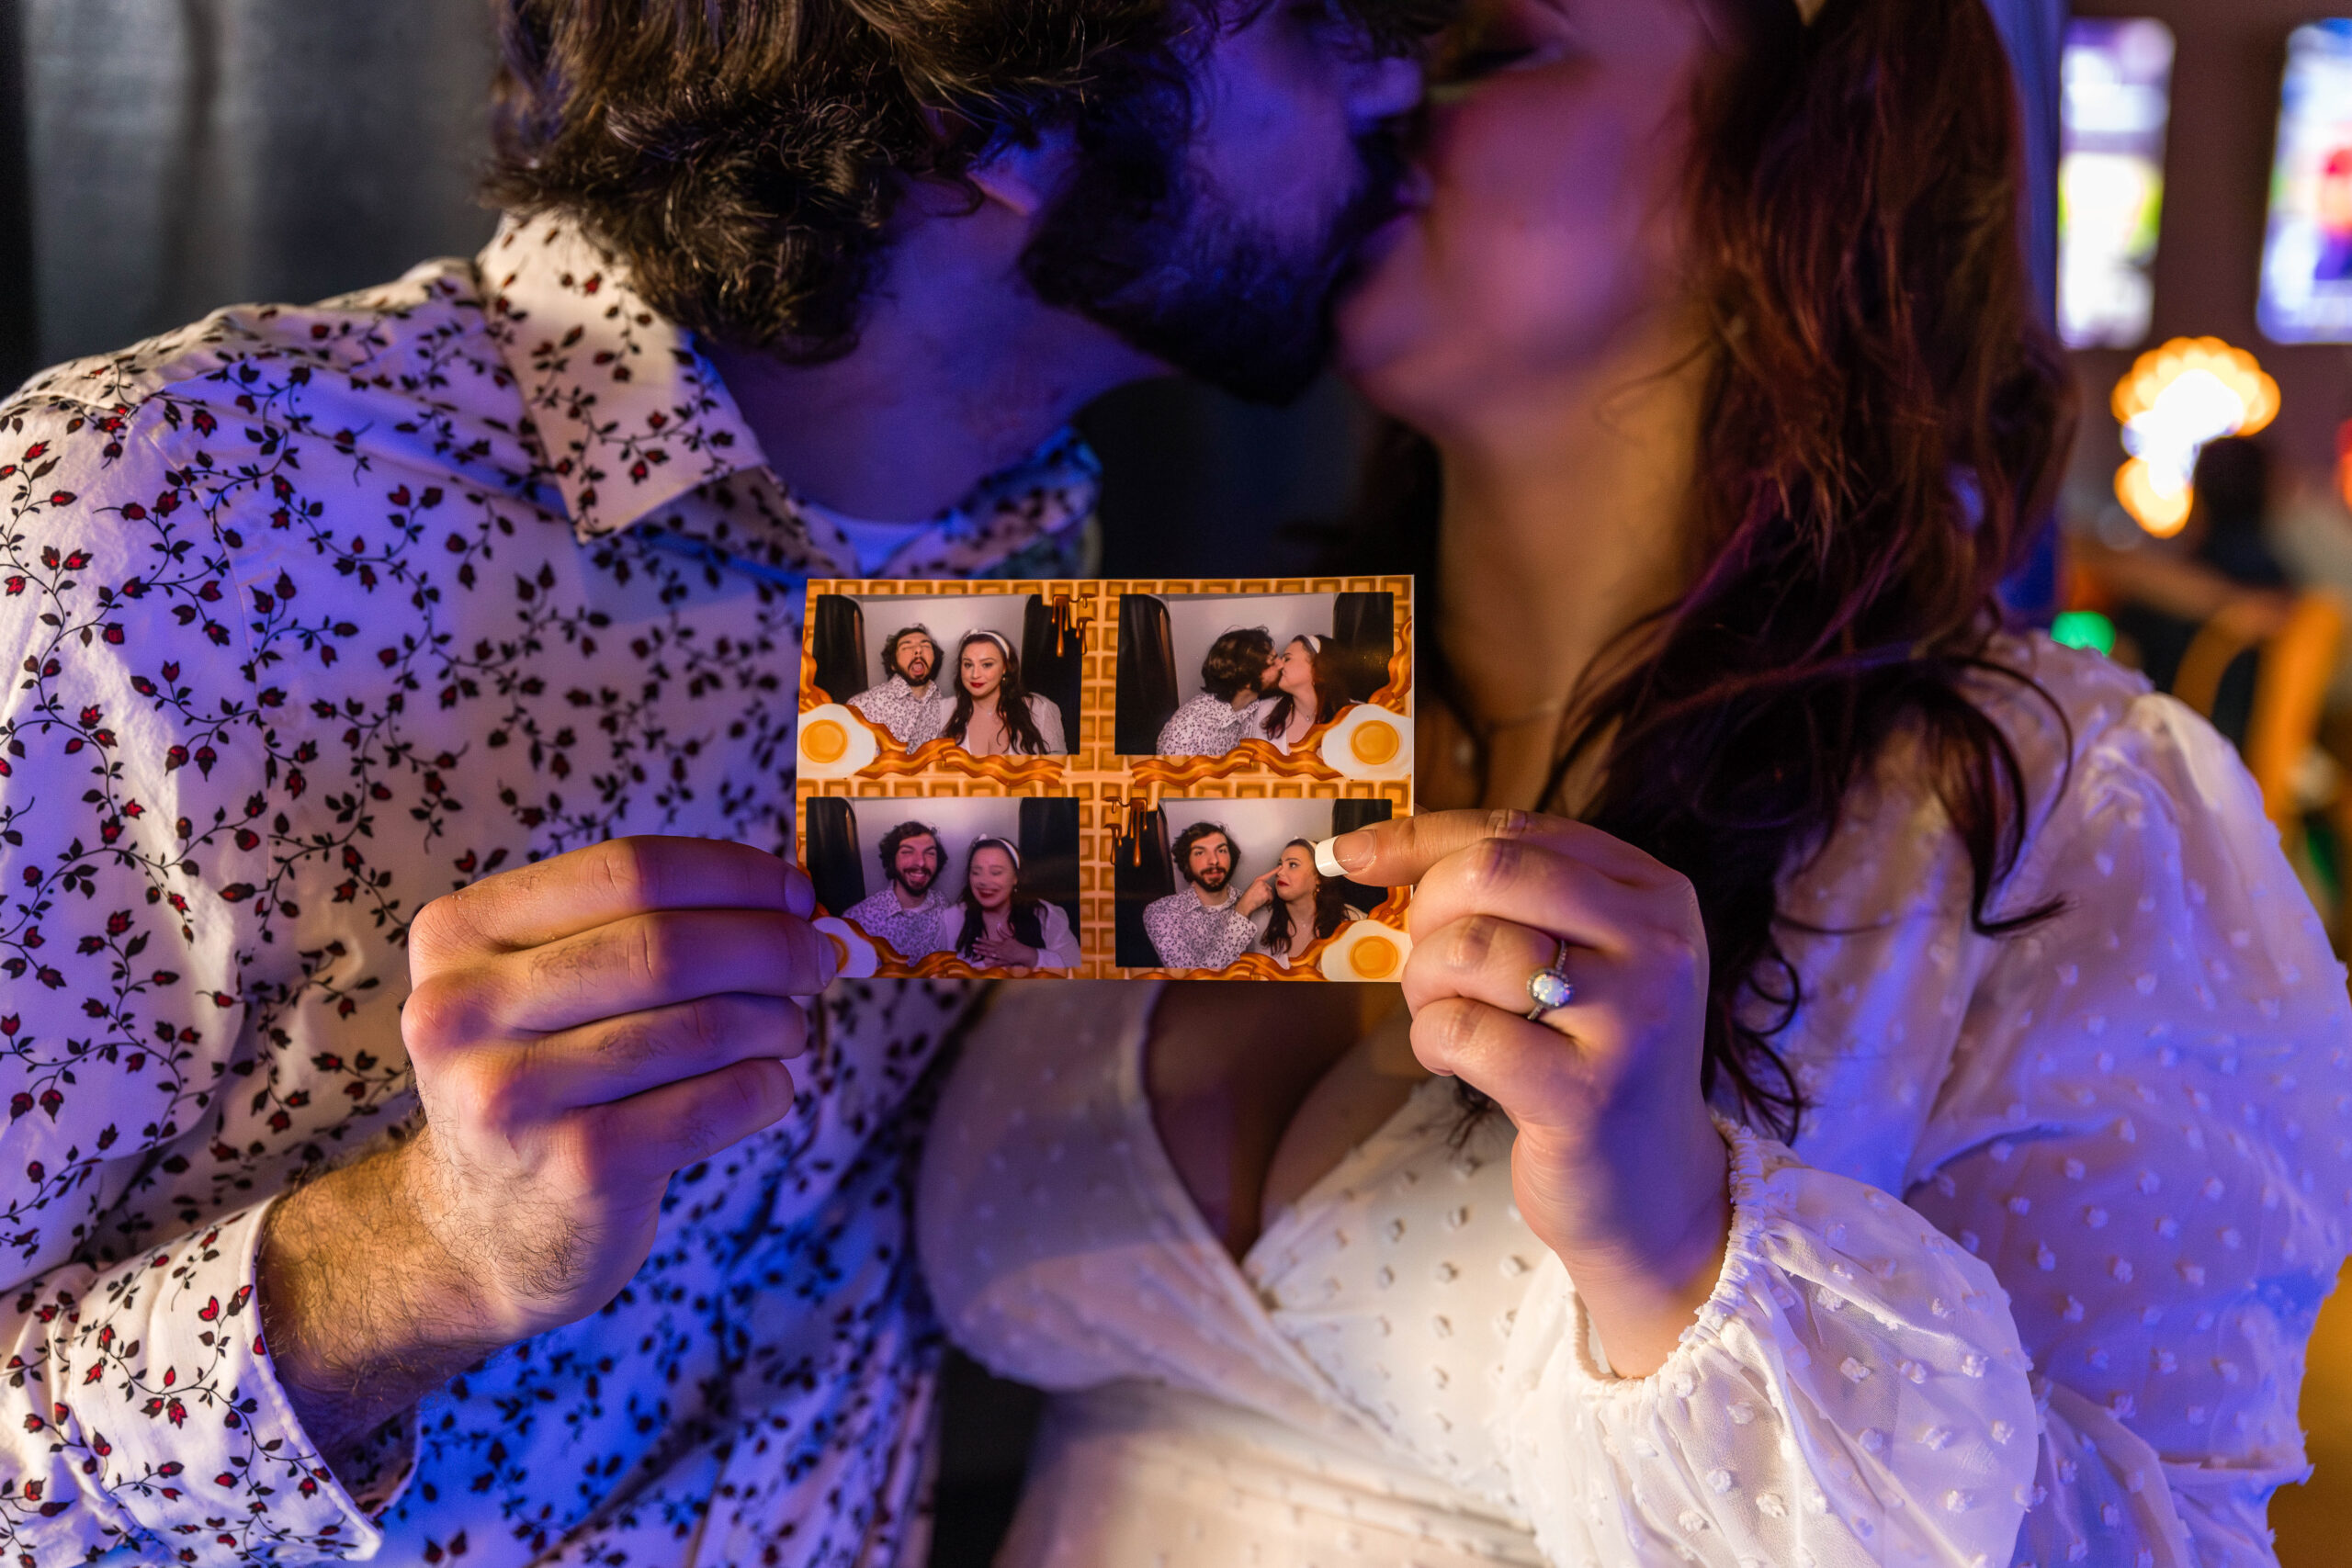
x,y
2174,401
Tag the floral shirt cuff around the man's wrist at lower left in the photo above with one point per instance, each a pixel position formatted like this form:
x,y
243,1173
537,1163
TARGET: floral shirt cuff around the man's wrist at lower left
x,y
175,1391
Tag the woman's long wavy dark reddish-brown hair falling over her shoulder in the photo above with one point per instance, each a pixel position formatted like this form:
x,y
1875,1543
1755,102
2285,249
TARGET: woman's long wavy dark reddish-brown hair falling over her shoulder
x,y
1880,441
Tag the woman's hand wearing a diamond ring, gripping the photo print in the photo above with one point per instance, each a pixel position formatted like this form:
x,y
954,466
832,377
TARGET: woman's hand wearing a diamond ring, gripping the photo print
x,y
1619,1167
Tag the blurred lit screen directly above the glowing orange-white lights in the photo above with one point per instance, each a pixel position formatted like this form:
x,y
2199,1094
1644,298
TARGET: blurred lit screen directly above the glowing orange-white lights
x,y
2111,177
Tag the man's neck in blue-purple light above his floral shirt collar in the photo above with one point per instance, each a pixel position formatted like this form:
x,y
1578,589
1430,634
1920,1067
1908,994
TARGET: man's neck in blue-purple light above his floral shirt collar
x,y
958,373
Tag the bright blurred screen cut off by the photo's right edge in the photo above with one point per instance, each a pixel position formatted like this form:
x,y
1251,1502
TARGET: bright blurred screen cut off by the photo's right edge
x,y
2308,257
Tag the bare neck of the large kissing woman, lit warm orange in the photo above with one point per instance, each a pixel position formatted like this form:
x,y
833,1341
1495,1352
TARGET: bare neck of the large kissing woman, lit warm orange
x,y
1568,518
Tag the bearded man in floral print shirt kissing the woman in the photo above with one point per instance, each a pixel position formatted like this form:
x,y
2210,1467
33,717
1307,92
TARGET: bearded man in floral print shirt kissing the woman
x,y
396,960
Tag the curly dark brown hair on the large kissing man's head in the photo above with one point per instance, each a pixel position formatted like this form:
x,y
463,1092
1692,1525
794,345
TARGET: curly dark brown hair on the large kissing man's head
x,y
744,159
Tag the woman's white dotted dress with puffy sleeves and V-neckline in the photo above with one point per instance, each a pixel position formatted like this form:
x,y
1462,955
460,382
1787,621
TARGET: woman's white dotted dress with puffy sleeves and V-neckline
x,y
2120,1144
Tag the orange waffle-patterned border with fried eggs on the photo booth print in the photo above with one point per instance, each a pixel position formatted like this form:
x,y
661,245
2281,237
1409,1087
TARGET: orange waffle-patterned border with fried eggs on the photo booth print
x,y
1076,629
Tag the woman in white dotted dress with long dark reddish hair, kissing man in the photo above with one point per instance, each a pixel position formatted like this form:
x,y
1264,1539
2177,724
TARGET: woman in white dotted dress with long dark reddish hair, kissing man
x,y
1897,1078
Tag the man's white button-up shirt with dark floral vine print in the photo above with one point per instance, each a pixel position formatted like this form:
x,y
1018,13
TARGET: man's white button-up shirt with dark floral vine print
x,y
316,615
